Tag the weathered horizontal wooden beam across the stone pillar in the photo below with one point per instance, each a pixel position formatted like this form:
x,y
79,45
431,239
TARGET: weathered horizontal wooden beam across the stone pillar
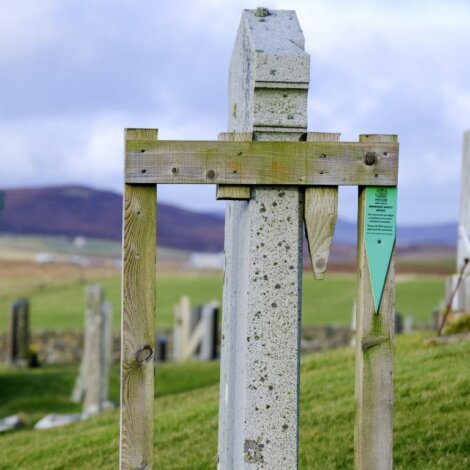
x,y
261,163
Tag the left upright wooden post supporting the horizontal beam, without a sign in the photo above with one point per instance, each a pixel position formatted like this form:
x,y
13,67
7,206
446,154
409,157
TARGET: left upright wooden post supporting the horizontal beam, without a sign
x,y
138,320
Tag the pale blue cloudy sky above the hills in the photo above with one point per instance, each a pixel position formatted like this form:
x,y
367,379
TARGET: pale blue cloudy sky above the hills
x,y
74,74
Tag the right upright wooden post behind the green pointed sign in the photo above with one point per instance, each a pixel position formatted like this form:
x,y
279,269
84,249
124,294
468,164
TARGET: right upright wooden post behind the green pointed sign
x,y
374,348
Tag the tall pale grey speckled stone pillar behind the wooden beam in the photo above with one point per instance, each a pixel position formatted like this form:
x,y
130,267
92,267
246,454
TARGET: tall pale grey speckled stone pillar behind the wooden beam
x,y
259,390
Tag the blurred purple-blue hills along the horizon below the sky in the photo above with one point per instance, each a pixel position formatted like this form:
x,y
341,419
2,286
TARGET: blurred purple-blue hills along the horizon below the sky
x,y
78,210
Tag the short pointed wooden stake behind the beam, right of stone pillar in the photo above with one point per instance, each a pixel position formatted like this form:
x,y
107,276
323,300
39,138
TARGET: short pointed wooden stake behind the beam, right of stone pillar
x,y
320,215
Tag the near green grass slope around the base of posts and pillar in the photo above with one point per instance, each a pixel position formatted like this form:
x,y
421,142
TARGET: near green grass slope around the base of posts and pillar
x,y
432,412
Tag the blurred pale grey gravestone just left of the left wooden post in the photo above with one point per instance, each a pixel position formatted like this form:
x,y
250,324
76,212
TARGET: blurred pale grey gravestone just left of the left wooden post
x,y
91,385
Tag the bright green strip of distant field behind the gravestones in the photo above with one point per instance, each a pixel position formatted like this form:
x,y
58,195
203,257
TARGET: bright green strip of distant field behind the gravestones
x,y
327,302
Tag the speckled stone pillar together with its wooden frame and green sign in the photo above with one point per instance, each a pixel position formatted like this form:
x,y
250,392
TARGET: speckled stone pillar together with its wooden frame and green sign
x,y
277,175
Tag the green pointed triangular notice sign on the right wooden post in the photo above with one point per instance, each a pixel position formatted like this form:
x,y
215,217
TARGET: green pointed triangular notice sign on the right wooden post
x,y
380,232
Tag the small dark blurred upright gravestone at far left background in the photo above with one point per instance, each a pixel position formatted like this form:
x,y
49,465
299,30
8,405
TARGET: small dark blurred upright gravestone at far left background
x,y
18,344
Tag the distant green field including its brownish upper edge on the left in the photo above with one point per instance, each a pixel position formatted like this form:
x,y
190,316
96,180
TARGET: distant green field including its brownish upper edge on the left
x,y
57,294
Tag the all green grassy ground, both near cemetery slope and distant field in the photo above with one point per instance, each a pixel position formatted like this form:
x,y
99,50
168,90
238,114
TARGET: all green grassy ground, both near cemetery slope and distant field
x,y
432,389
